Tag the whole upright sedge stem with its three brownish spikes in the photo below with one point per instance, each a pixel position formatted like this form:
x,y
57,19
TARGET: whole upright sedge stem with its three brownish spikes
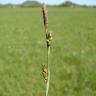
x,y
48,35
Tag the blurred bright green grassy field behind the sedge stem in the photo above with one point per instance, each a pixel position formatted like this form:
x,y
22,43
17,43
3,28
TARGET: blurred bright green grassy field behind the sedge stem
x,y
23,51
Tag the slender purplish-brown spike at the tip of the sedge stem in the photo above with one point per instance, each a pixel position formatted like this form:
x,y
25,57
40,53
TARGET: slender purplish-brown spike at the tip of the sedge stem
x,y
45,15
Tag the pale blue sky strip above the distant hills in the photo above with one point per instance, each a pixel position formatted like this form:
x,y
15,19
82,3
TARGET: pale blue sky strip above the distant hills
x,y
88,2
